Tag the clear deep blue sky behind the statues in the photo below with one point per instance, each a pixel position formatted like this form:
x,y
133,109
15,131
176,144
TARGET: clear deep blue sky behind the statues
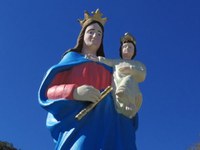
x,y
35,33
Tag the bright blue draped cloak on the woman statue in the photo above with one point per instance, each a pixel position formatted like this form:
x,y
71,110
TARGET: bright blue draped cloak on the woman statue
x,y
102,128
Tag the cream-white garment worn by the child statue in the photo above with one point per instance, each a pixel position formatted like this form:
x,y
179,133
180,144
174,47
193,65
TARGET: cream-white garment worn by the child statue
x,y
126,76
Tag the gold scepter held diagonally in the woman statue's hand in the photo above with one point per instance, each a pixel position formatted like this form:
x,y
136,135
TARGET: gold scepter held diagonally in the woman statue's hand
x,y
83,112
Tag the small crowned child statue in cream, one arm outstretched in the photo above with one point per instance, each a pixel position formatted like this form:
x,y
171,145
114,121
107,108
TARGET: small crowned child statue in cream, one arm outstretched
x,y
126,76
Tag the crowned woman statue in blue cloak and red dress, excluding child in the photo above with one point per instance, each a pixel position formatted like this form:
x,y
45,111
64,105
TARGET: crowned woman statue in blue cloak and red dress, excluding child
x,y
76,82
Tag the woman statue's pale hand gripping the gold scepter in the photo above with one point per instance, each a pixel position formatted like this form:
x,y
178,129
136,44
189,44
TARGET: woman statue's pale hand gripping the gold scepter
x,y
86,93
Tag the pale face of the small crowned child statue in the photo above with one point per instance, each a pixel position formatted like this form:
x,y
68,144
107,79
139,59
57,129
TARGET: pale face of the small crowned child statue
x,y
128,50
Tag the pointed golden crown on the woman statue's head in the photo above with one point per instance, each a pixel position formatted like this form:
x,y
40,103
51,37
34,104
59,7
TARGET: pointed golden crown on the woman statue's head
x,y
96,16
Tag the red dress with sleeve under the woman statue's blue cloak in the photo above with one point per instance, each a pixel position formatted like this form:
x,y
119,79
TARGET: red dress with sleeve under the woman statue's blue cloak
x,y
64,83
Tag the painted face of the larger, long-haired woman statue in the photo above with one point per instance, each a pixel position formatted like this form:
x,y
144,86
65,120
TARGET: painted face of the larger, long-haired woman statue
x,y
93,37
